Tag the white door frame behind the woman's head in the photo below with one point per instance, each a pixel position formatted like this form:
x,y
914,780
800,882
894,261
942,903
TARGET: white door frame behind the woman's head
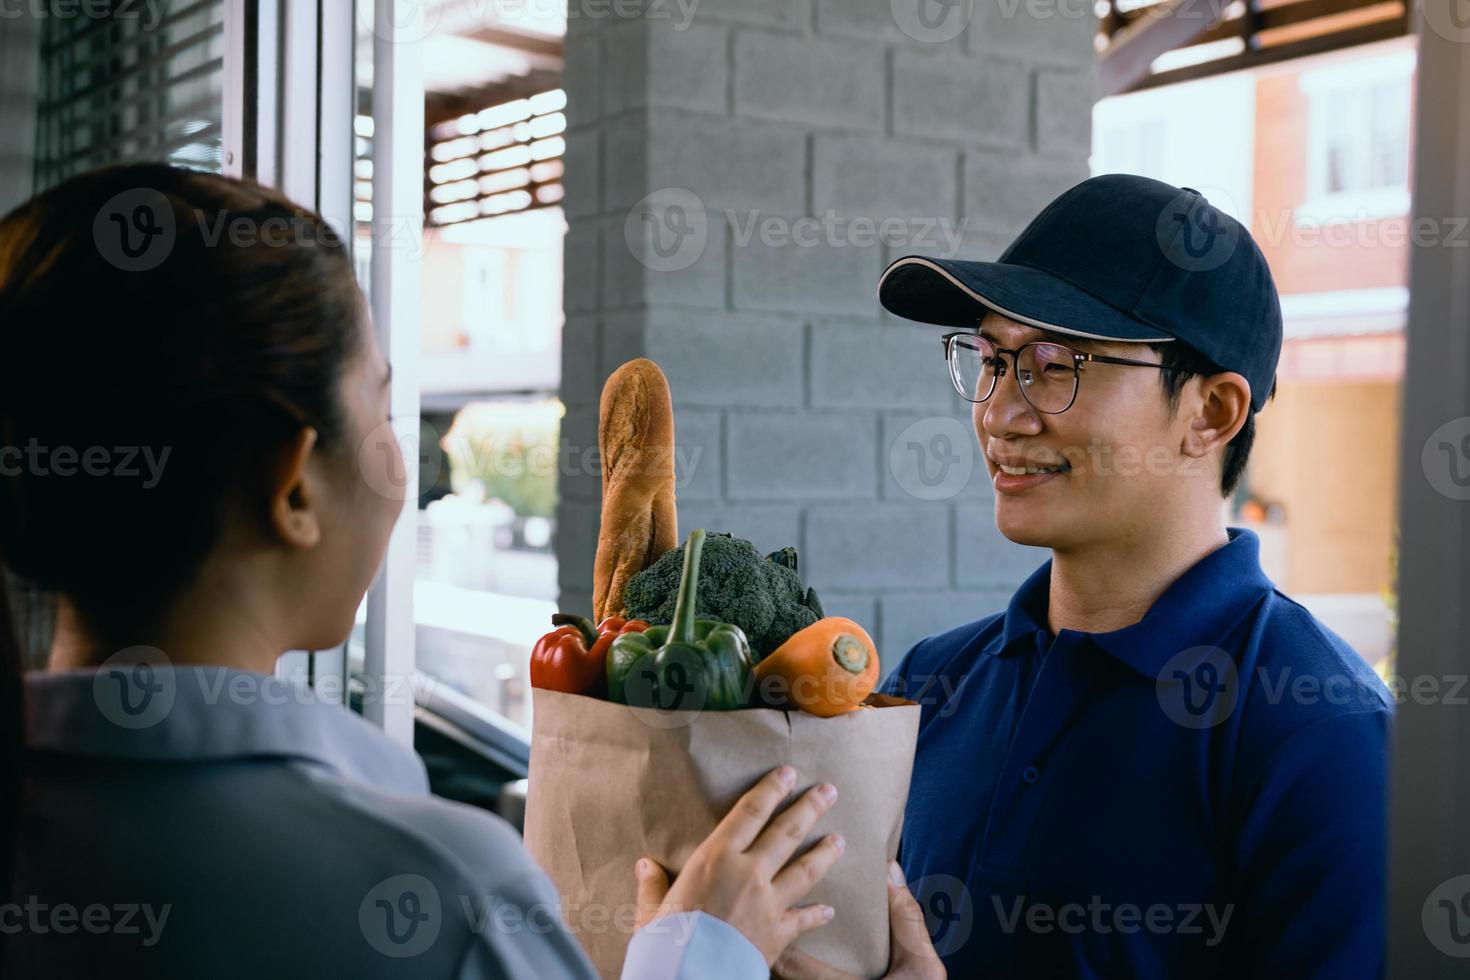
x,y
290,104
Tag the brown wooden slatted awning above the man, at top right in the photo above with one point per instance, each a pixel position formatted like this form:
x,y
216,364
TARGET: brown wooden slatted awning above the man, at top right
x,y
1211,37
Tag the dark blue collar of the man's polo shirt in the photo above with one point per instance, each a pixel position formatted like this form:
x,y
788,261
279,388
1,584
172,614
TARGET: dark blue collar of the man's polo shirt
x,y
1202,605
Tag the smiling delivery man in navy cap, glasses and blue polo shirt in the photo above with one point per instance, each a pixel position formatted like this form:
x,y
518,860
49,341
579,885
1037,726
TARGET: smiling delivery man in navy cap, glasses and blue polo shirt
x,y
1153,763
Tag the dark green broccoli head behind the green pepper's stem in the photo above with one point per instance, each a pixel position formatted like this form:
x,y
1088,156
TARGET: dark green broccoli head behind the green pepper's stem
x,y
764,596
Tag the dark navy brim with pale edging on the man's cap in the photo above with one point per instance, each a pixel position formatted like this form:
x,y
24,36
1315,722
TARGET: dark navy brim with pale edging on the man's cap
x,y
953,293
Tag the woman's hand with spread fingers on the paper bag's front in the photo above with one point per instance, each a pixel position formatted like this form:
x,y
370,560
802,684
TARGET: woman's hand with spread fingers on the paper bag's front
x,y
743,872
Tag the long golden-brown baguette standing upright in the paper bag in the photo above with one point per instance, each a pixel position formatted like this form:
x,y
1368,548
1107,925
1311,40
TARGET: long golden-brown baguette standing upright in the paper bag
x,y
636,440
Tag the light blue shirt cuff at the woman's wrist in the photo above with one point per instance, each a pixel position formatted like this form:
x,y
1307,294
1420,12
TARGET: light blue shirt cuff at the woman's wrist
x,y
693,947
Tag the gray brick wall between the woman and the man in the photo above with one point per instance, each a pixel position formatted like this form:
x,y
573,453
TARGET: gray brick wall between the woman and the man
x,y
736,184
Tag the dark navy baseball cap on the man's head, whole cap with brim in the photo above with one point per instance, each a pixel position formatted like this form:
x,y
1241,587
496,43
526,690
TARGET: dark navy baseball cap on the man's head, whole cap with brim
x,y
1118,258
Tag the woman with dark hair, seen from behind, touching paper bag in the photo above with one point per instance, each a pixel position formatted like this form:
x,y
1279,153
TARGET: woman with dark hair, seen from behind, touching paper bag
x,y
192,384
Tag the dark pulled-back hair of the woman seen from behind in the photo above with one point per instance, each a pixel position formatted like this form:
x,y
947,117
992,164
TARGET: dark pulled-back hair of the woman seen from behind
x,y
162,331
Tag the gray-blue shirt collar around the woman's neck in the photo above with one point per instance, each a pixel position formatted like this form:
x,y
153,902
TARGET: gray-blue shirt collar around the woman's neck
x,y
208,713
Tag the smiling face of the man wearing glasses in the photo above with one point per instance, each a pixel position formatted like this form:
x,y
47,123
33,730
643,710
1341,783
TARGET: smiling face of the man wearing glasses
x,y
1119,447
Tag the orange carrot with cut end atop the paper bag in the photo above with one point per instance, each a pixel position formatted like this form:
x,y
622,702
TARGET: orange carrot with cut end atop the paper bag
x,y
825,669
